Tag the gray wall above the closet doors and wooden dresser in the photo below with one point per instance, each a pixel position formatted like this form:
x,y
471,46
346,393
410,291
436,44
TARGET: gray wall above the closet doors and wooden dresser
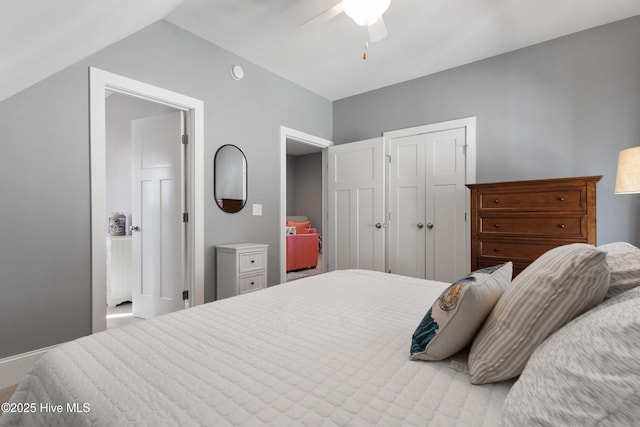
x,y
558,109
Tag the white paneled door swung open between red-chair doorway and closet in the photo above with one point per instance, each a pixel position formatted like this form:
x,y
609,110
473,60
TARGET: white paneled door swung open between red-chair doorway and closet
x,y
356,205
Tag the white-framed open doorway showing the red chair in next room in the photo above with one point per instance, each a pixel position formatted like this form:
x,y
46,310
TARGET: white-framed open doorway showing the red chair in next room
x,y
303,204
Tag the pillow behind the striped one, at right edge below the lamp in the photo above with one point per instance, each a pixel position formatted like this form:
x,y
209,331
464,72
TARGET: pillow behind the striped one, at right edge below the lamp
x,y
624,267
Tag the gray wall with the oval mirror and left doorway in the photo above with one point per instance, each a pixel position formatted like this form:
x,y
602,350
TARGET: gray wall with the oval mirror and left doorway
x,y
44,172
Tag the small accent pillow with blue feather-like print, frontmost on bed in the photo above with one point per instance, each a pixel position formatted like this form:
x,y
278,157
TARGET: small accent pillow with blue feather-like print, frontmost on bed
x,y
456,316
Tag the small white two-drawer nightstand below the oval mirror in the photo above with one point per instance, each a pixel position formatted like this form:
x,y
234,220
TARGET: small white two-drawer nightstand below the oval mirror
x,y
241,268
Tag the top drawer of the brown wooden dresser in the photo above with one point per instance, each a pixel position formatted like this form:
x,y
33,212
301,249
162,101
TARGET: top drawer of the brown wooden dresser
x,y
567,198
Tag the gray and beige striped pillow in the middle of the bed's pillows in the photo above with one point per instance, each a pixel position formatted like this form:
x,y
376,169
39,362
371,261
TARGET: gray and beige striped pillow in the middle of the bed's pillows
x,y
555,288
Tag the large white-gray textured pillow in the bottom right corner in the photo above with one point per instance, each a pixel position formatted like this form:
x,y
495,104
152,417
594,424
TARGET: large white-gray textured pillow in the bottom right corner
x,y
585,374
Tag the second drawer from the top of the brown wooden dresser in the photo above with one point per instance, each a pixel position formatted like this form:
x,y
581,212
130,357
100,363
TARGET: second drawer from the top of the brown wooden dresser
x,y
561,226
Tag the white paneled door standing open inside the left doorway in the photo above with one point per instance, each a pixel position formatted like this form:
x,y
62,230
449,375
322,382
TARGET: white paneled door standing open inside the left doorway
x,y
157,207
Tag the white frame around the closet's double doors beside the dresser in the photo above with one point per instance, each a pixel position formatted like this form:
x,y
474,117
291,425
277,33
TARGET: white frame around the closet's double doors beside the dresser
x,y
469,123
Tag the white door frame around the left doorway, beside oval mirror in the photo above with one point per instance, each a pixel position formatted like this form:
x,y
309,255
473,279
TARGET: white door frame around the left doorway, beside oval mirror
x,y
99,82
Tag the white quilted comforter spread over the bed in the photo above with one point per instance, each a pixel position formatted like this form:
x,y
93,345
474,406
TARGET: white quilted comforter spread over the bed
x,y
330,350
